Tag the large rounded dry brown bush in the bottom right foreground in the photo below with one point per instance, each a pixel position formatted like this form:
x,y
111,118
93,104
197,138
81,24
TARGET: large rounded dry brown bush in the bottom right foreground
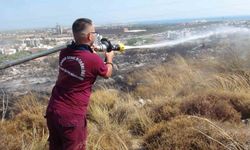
x,y
187,132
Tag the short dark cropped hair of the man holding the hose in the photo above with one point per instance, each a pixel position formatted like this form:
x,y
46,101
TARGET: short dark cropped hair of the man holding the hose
x,y
81,24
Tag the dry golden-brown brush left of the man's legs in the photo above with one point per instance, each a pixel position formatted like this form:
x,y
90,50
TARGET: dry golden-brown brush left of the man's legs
x,y
27,130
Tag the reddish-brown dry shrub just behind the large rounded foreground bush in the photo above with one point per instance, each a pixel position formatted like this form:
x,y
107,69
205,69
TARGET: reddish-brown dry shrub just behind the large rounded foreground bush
x,y
211,105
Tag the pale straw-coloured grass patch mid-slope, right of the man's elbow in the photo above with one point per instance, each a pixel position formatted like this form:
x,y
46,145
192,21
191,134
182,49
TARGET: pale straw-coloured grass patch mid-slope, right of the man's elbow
x,y
165,80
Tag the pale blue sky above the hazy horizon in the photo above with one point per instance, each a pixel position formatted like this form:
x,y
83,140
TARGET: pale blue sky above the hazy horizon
x,y
24,14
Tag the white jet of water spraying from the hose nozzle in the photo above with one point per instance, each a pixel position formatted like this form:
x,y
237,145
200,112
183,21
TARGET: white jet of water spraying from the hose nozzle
x,y
218,31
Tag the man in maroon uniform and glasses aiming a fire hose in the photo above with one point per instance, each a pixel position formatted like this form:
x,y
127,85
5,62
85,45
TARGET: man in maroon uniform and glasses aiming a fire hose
x,y
78,70
